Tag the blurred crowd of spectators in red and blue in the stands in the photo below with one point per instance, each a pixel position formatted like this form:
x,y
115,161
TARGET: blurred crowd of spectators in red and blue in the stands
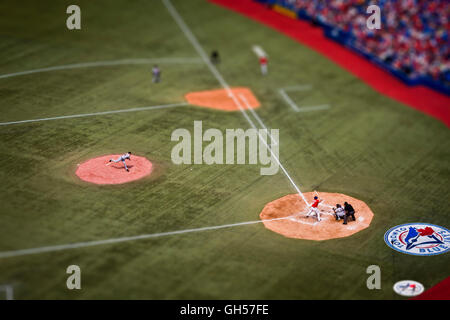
x,y
414,34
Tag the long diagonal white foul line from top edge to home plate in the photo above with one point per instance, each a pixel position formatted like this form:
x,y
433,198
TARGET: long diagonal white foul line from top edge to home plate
x,y
191,37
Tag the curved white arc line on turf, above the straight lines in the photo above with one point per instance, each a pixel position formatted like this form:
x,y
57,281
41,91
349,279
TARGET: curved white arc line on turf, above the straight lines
x,y
105,64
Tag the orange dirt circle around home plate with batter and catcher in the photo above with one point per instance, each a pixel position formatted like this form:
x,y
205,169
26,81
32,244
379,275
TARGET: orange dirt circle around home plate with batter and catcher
x,y
287,216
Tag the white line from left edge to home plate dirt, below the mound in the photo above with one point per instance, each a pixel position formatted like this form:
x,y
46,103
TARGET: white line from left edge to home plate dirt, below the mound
x,y
23,252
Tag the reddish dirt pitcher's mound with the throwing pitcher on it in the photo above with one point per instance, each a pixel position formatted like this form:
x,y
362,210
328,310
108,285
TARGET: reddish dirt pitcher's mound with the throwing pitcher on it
x,y
98,171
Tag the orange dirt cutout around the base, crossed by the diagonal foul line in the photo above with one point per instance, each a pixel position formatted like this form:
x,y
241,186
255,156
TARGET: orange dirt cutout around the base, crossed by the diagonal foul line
x,y
219,99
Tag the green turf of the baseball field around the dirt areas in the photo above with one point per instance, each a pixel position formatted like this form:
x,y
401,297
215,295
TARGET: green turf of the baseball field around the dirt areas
x,y
367,146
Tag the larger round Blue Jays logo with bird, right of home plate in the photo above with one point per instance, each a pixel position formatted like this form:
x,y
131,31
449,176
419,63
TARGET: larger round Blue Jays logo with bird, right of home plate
x,y
422,239
